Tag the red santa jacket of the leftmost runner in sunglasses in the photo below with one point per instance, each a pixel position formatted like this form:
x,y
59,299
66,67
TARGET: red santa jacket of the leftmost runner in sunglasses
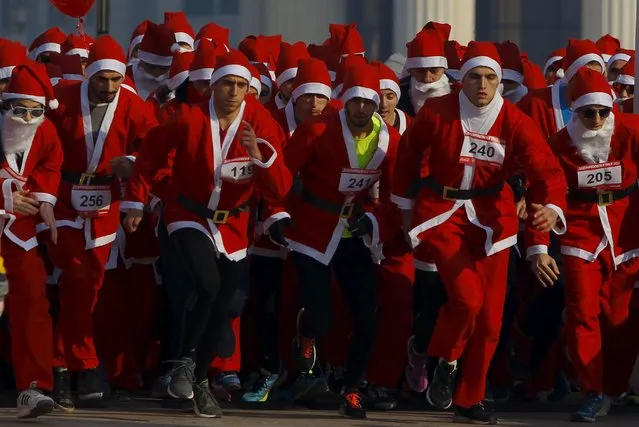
x,y
40,174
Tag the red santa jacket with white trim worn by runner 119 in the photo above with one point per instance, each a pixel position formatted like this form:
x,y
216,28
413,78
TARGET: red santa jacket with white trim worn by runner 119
x,y
212,173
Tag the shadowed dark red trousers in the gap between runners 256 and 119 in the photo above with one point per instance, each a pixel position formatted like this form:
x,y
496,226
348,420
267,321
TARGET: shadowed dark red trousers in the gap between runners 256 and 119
x,y
124,319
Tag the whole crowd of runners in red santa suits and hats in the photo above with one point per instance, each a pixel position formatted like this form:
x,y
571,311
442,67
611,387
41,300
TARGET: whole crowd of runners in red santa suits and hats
x,y
184,218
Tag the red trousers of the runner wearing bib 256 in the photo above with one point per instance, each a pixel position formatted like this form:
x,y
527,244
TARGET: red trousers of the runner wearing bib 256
x,y
81,279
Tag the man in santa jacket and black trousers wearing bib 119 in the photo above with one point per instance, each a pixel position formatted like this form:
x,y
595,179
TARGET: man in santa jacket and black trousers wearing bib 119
x,y
227,151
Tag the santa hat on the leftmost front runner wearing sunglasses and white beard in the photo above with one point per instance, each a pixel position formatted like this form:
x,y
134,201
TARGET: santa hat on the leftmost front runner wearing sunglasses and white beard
x,y
30,81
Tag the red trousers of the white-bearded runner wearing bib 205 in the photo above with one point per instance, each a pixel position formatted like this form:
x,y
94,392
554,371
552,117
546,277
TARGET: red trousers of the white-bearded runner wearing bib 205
x,y
588,286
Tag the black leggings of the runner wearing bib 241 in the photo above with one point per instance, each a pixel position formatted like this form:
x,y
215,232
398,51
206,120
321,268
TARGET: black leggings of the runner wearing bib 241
x,y
359,282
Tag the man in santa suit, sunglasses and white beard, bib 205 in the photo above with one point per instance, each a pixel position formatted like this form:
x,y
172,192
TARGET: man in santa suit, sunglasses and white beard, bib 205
x,y
598,153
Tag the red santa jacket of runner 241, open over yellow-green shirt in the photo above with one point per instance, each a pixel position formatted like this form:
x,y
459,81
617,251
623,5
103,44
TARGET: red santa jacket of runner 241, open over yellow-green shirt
x,y
322,152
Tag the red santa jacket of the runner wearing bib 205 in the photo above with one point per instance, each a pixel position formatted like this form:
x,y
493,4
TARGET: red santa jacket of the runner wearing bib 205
x,y
594,226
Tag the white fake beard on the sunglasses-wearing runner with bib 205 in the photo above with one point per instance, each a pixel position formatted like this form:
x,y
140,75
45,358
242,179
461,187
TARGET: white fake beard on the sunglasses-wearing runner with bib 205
x,y
593,145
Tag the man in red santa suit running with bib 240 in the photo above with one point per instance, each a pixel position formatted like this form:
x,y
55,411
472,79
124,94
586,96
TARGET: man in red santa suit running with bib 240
x,y
459,149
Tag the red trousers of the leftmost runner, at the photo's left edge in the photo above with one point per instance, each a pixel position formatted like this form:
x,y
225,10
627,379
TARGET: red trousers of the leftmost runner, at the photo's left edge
x,y
28,307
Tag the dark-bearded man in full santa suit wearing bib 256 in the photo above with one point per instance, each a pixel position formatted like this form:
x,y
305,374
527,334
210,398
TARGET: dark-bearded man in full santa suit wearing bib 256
x,y
99,125
